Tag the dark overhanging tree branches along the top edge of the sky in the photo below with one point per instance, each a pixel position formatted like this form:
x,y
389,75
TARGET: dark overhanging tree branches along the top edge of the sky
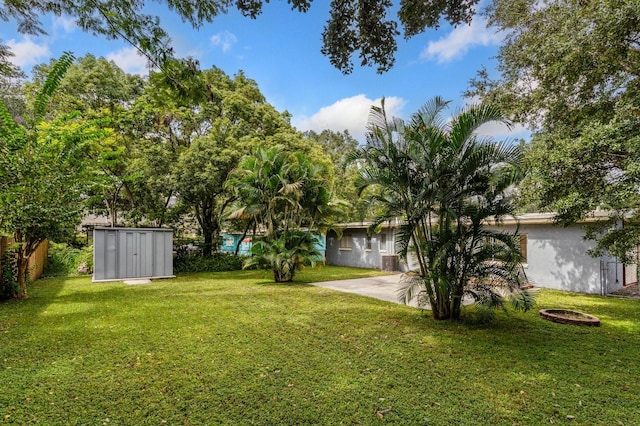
x,y
354,26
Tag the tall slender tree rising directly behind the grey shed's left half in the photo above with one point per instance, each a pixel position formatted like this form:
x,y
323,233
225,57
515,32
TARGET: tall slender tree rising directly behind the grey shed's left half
x,y
102,92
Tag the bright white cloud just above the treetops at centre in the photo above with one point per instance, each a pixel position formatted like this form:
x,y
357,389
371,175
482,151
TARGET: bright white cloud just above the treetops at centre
x,y
348,114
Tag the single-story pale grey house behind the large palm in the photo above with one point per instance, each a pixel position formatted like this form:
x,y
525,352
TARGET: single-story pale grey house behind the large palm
x,y
555,257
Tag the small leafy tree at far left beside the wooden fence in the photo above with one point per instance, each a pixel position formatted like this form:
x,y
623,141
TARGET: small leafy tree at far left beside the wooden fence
x,y
42,174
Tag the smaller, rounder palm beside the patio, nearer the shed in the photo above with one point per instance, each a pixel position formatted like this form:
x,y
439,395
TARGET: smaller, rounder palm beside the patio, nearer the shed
x,y
282,193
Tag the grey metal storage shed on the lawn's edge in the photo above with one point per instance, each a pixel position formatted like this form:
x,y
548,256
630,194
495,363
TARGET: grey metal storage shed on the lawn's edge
x,y
128,253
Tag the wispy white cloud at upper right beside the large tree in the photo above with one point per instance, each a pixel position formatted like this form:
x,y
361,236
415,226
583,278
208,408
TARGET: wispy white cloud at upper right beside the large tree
x,y
460,40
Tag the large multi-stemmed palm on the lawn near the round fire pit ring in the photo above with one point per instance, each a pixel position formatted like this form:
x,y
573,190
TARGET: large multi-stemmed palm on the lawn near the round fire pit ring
x,y
446,181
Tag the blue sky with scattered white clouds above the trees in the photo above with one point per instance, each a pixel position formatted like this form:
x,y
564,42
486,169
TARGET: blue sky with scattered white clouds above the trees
x,y
280,50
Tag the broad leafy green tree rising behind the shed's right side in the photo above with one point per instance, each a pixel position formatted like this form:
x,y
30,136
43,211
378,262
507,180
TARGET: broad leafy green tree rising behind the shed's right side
x,y
198,137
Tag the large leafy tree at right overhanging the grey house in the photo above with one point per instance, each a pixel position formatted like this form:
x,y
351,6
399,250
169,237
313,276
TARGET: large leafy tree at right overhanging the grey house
x,y
571,71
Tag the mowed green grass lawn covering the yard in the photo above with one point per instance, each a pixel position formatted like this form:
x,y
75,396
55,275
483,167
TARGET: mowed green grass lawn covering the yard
x,y
232,348
